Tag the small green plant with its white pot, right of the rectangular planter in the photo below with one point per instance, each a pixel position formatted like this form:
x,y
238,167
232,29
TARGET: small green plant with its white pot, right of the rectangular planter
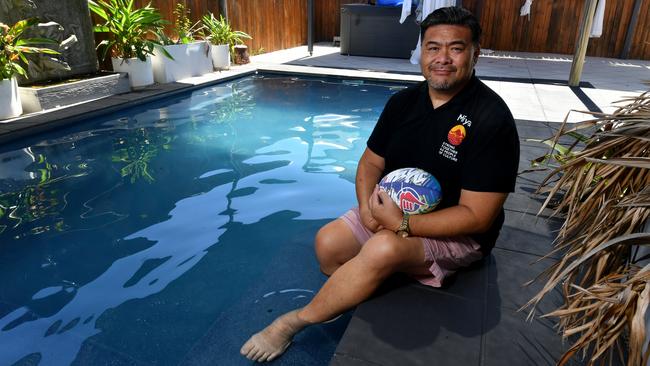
x,y
223,39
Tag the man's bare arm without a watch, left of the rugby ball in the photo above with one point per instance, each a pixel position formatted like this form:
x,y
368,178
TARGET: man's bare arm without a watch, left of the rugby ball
x,y
369,170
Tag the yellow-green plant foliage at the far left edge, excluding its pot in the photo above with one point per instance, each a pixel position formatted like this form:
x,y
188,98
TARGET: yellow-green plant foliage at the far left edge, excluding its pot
x,y
14,46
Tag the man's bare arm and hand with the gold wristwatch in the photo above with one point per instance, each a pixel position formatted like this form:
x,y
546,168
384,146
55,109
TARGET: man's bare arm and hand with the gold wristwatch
x,y
474,214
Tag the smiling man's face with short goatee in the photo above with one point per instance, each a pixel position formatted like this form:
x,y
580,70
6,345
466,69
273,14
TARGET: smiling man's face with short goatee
x,y
448,57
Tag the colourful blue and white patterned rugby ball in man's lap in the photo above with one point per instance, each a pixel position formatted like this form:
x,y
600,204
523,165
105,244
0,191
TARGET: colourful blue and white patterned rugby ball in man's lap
x,y
414,190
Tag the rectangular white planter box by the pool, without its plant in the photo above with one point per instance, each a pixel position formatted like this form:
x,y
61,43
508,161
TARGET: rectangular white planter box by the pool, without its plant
x,y
189,60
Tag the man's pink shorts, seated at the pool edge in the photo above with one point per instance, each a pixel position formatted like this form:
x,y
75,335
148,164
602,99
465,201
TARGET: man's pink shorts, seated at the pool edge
x,y
446,255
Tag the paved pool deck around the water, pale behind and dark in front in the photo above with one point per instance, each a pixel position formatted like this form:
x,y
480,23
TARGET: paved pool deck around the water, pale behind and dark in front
x,y
473,320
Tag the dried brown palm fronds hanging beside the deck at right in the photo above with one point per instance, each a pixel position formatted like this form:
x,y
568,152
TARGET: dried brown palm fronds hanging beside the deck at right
x,y
603,191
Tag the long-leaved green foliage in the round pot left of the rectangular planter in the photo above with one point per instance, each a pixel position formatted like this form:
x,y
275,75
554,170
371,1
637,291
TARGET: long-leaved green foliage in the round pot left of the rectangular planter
x,y
132,32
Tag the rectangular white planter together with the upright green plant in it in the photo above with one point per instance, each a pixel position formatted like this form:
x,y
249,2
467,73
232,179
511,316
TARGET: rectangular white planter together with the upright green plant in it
x,y
191,57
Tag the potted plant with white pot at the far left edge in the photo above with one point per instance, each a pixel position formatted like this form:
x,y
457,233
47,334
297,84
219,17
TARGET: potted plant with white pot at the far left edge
x,y
13,47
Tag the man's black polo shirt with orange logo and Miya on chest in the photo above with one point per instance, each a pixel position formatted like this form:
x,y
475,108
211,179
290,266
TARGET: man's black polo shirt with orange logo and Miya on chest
x,y
470,143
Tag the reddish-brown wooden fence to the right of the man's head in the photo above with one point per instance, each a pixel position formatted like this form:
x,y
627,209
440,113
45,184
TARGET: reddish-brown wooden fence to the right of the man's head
x,y
553,27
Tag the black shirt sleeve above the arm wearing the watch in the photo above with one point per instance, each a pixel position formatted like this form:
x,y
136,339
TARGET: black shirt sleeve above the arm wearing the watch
x,y
493,159
